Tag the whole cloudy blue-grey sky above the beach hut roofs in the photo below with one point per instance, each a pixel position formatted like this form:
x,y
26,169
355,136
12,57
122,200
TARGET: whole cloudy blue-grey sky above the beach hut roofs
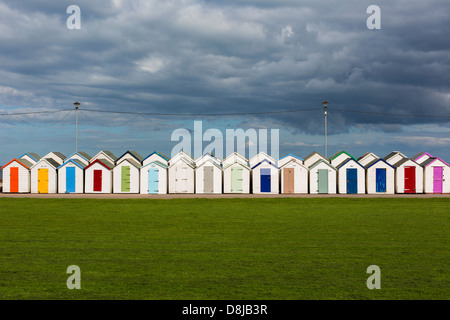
x,y
388,89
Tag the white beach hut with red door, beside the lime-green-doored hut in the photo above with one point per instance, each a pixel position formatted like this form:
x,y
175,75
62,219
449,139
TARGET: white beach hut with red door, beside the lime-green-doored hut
x,y
98,177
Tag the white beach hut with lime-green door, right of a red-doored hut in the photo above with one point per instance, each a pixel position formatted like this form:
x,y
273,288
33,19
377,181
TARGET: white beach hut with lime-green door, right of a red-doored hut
x,y
126,176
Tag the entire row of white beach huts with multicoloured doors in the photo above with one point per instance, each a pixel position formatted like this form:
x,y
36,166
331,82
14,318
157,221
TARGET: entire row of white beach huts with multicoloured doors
x,y
157,174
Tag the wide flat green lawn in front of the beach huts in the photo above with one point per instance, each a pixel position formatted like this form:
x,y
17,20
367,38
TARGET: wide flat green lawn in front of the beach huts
x,y
282,248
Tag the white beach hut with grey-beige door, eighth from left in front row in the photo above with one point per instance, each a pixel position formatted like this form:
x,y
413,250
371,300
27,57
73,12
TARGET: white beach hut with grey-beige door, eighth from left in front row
x,y
208,174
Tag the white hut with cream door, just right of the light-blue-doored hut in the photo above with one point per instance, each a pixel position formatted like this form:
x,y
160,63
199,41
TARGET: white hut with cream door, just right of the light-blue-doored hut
x,y
181,173
